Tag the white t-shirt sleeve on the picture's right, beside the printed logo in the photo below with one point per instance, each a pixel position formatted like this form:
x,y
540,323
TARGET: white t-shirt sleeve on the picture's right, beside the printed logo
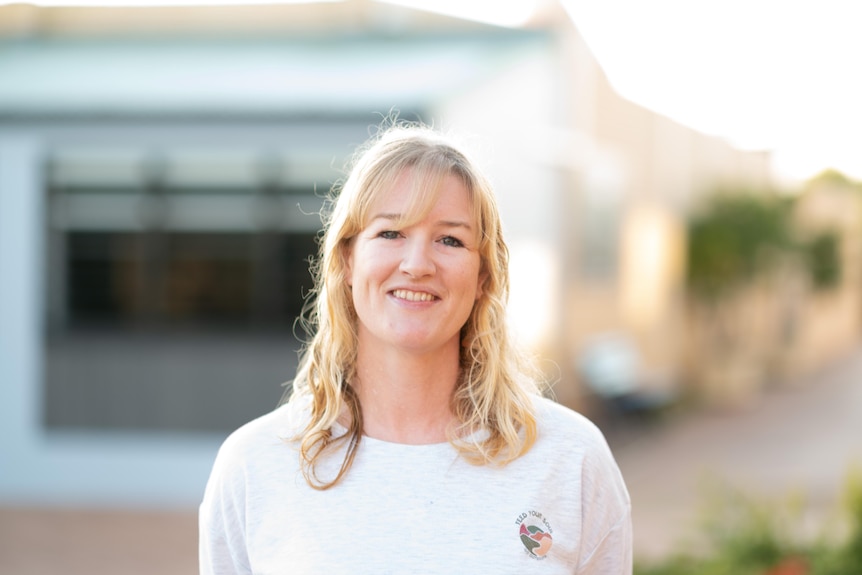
x,y
607,541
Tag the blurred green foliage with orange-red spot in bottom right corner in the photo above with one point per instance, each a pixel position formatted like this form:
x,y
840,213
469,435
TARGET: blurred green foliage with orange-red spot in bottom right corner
x,y
748,537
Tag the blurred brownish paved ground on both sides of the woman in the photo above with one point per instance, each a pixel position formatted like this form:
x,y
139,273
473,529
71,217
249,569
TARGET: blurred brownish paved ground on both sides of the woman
x,y
799,437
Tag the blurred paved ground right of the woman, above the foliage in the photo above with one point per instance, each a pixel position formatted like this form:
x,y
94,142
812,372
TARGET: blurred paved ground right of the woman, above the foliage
x,y
799,438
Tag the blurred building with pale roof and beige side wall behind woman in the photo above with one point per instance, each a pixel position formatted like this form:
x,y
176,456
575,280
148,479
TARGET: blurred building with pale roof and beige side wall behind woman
x,y
160,170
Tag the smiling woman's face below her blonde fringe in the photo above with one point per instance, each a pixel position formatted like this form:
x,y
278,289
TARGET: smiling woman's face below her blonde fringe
x,y
414,288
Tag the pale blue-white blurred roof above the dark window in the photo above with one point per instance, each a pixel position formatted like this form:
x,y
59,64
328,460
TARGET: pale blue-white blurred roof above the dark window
x,y
342,74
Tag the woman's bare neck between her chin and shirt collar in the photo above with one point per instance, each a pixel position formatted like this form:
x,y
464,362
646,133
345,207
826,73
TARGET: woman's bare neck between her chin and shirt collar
x,y
406,398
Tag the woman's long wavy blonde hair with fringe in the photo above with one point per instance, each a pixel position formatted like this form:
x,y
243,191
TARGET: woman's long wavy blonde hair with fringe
x,y
494,393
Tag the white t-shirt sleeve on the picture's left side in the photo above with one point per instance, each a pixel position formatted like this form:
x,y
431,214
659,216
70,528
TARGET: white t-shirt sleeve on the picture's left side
x,y
221,518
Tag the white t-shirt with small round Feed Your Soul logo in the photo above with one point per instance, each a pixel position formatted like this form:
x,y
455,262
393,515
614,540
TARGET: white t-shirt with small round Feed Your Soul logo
x,y
561,508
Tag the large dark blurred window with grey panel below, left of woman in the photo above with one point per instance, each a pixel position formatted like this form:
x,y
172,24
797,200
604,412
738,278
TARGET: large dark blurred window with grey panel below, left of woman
x,y
174,281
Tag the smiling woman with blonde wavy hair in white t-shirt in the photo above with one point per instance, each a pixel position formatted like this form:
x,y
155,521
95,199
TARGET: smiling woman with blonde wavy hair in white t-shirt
x,y
415,440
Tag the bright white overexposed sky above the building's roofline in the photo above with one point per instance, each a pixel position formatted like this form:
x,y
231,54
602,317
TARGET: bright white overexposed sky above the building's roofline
x,y
778,75
